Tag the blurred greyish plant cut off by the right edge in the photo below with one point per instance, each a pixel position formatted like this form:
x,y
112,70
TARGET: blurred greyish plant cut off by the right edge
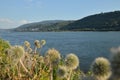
x,y
115,63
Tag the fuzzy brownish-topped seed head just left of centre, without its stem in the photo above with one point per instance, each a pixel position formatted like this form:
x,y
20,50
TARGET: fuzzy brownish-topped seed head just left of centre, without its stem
x,y
53,55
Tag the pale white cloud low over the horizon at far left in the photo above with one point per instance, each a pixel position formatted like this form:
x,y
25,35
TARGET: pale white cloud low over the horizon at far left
x,y
6,23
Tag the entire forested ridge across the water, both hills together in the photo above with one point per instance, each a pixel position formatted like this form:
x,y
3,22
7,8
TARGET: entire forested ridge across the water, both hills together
x,y
109,21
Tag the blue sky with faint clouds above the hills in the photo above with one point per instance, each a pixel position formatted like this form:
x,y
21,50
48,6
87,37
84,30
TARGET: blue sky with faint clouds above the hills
x,y
14,13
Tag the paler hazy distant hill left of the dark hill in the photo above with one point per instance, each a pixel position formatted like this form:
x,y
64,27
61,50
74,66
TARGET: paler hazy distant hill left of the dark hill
x,y
52,25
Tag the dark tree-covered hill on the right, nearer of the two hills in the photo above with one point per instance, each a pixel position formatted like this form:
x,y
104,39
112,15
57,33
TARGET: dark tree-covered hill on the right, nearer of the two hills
x,y
101,22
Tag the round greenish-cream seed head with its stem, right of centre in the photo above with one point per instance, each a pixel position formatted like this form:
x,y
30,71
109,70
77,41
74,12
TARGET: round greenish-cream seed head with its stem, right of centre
x,y
71,63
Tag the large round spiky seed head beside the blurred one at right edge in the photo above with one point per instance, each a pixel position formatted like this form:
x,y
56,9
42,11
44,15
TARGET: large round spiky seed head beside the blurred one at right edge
x,y
101,68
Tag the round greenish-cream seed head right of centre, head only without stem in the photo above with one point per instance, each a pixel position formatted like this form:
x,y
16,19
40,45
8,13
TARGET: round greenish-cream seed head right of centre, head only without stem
x,y
72,61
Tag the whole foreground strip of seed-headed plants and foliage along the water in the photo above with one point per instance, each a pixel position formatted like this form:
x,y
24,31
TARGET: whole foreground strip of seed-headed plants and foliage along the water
x,y
24,63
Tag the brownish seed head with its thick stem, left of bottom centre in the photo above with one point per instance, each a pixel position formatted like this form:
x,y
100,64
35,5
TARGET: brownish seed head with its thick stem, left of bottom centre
x,y
54,57
